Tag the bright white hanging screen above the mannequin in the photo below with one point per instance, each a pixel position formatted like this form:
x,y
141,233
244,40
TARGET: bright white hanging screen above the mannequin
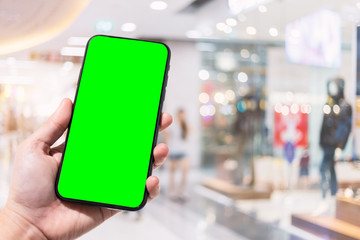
x,y
315,39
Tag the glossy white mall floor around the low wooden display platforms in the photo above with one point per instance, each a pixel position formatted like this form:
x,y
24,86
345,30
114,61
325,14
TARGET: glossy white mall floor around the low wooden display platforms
x,y
164,219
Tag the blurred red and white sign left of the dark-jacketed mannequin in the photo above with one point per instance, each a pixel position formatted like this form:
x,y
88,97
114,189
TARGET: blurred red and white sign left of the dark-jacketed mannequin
x,y
290,126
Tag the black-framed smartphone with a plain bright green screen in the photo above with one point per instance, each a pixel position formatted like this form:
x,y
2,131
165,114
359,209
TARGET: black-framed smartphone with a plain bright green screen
x,y
108,153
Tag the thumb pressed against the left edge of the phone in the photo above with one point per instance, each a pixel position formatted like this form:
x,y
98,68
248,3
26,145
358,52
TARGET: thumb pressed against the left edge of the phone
x,y
56,124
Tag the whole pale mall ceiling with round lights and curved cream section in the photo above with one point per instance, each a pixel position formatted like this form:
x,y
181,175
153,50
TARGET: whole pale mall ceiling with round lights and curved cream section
x,y
22,23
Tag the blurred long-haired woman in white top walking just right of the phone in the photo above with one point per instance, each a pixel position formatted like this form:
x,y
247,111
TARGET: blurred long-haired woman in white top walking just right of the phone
x,y
176,139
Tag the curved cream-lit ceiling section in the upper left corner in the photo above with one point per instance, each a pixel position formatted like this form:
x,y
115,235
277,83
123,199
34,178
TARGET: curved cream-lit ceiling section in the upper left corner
x,y
25,24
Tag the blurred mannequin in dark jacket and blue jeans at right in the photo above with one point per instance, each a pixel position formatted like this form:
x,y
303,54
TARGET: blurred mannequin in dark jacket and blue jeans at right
x,y
334,134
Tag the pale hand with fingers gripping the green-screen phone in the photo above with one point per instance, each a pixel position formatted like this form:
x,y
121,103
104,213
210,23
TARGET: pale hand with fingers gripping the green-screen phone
x,y
32,210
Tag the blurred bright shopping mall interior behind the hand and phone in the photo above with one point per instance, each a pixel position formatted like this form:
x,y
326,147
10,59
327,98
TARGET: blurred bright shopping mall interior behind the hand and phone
x,y
269,92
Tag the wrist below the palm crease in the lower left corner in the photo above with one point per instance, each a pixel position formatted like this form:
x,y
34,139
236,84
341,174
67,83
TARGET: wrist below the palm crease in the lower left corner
x,y
14,226
